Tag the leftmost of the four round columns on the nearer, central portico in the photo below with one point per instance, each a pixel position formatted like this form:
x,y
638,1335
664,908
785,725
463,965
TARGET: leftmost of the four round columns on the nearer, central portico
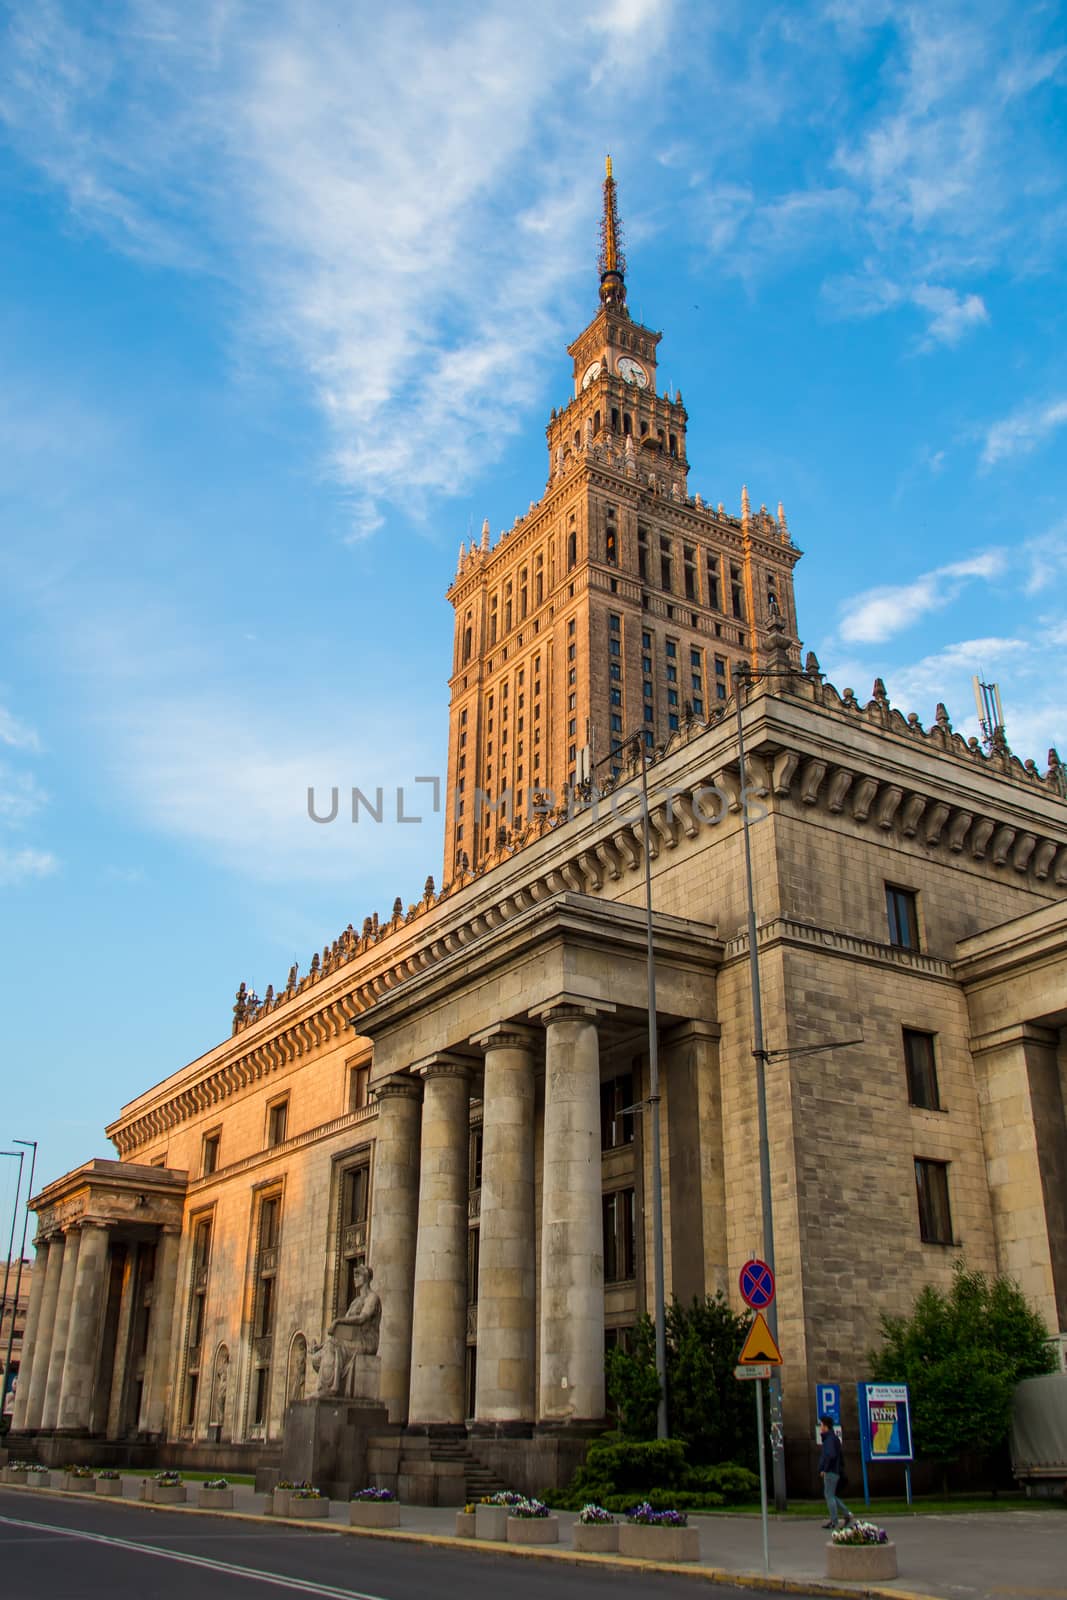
x,y
394,1226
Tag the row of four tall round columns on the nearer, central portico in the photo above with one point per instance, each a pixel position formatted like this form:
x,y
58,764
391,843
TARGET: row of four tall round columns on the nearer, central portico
x,y
420,1231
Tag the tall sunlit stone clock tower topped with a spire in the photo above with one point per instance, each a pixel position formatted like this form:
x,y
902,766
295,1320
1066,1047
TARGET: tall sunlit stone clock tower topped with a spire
x,y
617,606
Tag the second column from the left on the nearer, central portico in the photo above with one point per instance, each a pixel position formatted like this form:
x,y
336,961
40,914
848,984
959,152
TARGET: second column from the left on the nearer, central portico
x,y
439,1324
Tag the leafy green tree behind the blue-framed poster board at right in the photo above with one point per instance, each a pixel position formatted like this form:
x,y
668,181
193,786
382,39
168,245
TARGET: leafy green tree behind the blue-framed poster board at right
x,y
962,1356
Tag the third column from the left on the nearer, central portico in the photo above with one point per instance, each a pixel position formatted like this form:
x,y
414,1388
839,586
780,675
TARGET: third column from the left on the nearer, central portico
x,y
505,1375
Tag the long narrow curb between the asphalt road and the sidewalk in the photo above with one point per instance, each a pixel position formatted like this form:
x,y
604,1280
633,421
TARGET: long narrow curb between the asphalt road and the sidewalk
x,y
773,1583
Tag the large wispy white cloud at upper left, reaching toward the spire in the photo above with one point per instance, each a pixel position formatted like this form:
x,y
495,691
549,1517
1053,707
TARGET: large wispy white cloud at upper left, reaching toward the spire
x,y
337,175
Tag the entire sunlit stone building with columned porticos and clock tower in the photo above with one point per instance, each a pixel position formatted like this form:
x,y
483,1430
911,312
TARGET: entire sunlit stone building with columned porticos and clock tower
x,y
455,1095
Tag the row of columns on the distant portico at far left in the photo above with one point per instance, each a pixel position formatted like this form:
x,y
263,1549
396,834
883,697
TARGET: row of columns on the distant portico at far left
x,y
62,1383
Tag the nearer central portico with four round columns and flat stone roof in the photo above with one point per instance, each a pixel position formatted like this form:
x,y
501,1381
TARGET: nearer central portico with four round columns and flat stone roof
x,y
514,1046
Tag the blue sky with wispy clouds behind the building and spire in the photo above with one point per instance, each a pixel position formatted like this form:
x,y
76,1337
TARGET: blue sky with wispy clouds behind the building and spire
x,y
287,292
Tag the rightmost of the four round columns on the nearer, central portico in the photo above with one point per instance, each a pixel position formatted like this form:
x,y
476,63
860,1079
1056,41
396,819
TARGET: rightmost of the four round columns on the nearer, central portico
x,y
572,1218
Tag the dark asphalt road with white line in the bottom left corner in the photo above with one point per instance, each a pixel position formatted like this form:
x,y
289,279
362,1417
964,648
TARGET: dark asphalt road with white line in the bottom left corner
x,y
55,1551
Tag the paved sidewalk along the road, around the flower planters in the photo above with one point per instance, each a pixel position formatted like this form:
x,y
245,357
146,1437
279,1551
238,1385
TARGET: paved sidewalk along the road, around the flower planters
x,y
957,1558
